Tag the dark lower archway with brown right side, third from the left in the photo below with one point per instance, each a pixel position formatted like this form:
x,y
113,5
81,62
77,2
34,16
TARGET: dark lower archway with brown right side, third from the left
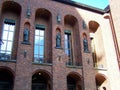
x,y
74,82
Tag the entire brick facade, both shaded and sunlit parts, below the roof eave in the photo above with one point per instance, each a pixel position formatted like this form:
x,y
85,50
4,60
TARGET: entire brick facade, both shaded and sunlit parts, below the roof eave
x,y
55,73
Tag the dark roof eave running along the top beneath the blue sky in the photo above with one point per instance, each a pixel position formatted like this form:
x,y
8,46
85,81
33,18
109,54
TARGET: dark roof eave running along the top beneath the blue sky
x,y
83,6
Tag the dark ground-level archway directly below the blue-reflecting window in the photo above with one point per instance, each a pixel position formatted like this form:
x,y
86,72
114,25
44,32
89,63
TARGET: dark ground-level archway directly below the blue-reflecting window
x,y
41,80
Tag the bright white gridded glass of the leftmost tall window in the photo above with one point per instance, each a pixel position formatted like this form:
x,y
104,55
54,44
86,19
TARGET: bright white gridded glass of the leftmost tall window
x,y
7,37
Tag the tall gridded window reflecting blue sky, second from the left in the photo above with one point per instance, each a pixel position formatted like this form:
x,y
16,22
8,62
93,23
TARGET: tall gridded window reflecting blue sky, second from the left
x,y
39,42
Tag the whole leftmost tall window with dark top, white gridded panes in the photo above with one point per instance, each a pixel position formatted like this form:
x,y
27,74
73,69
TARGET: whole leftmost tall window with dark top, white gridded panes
x,y
7,39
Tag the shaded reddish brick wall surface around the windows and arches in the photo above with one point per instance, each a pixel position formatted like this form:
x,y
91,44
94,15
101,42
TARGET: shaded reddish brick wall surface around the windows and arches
x,y
24,66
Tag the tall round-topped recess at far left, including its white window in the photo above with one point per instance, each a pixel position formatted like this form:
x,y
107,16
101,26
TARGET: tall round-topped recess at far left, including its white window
x,y
9,33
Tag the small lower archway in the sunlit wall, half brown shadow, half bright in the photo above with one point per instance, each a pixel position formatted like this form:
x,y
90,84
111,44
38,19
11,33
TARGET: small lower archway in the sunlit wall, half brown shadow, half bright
x,y
101,82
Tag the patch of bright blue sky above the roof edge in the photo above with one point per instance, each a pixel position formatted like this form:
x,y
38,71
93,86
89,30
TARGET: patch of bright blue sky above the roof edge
x,y
95,3
